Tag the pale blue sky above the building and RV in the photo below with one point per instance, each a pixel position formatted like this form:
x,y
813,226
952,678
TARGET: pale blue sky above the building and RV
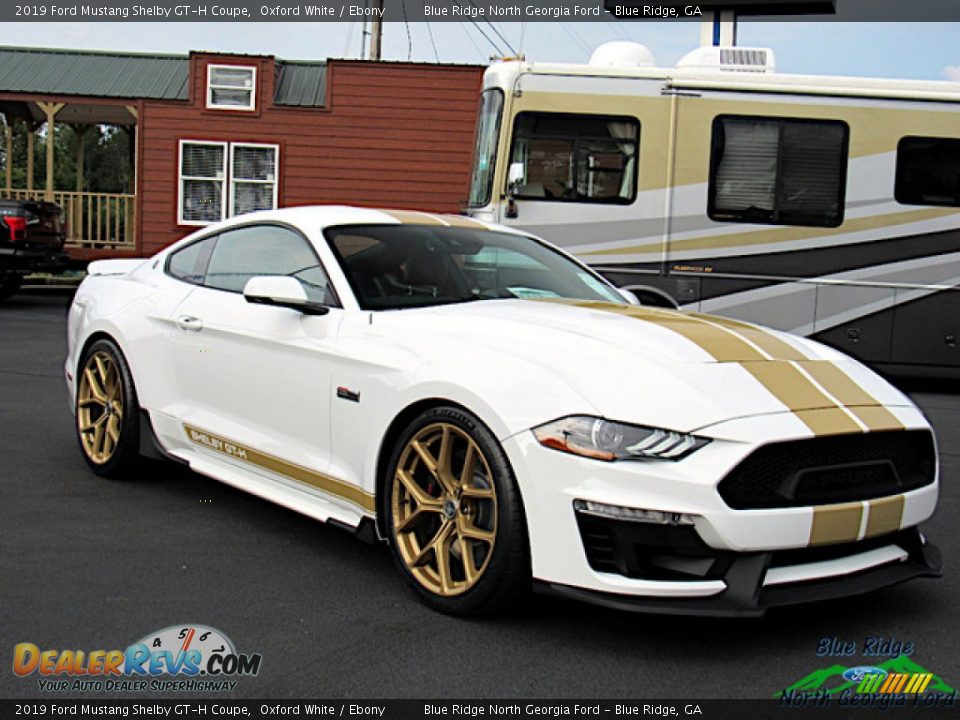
x,y
929,51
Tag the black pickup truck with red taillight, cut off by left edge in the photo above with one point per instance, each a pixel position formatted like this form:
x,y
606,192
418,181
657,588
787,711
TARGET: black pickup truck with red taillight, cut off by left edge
x,y
32,233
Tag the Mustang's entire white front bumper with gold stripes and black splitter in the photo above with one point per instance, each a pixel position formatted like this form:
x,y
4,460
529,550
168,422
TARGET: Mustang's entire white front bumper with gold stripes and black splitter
x,y
732,561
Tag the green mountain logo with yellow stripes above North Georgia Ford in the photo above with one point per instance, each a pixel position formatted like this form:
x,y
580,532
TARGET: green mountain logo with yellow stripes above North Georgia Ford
x,y
831,680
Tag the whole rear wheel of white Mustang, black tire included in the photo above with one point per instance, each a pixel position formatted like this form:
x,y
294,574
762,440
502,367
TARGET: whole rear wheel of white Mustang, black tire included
x,y
107,411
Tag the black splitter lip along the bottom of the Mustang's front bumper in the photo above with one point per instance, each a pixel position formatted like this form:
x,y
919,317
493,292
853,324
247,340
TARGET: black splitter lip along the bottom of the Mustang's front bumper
x,y
751,587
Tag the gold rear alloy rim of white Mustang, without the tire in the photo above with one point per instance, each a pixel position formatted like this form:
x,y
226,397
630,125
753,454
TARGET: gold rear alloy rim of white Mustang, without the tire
x,y
100,407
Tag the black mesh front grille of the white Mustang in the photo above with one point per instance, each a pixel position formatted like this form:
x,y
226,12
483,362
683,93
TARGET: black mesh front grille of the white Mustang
x,y
833,469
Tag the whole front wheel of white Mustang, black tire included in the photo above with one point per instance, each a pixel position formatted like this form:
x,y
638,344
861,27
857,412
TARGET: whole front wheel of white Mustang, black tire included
x,y
454,515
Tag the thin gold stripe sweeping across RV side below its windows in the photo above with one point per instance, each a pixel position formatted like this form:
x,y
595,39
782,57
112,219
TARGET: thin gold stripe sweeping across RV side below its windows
x,y
780,234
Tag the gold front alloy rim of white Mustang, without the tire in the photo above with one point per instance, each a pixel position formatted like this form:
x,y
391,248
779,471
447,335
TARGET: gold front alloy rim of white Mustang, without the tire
x,y
444,507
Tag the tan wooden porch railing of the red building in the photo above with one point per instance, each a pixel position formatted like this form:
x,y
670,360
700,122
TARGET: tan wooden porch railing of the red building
x,y
94,220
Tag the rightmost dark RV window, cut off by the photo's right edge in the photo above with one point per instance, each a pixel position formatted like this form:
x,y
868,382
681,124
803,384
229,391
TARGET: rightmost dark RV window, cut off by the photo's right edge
x,y
928,171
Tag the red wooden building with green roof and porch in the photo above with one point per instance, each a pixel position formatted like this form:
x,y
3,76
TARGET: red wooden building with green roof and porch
x,y
214,135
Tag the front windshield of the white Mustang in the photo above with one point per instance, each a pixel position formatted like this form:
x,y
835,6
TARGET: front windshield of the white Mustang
x,y
398,266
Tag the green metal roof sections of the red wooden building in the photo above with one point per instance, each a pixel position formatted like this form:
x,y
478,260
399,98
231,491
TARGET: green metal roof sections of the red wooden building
x,y
49,71
